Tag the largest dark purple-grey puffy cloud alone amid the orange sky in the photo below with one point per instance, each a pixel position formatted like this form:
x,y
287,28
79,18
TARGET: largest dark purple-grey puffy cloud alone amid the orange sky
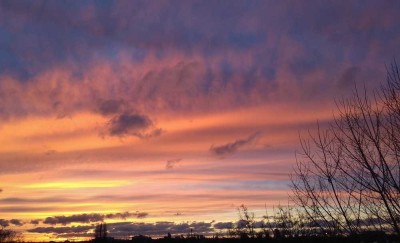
x,y
132,124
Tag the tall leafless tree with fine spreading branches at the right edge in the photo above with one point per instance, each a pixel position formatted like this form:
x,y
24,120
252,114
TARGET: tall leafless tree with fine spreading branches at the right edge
x,y
347,178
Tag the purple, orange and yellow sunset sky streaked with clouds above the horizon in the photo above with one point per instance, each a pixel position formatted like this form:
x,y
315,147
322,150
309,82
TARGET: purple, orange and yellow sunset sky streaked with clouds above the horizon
x,y
165,116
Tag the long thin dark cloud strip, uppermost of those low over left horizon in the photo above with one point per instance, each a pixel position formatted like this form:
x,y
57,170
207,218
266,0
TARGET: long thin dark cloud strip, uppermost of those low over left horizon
x,y
91,218
